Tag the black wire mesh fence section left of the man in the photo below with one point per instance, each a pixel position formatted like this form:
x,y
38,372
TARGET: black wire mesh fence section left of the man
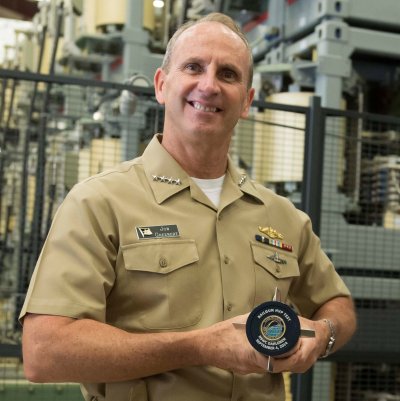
x,y
53,135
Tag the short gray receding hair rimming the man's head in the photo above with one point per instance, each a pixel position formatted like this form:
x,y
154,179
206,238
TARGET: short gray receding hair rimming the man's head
x,y
213,17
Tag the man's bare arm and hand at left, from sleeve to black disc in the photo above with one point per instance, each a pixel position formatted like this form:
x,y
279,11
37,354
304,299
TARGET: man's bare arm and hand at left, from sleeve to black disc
x,y
59,349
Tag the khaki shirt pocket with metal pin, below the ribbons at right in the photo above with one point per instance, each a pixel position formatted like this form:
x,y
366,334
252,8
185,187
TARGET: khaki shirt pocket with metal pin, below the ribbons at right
x,y
274,268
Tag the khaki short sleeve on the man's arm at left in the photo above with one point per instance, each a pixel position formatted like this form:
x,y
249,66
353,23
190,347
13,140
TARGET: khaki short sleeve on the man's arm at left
x,y
75,270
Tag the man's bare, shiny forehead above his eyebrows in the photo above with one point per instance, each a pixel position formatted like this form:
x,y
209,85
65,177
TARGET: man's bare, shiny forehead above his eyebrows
x,y
212,37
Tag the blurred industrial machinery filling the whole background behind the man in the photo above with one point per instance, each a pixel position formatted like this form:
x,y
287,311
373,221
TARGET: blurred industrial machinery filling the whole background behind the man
x,y
83,101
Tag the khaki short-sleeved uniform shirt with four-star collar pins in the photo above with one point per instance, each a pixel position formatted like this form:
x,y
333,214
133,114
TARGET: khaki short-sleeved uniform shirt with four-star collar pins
x,y
142,248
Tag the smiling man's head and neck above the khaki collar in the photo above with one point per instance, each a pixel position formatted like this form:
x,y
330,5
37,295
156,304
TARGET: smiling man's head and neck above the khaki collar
x,y
206,87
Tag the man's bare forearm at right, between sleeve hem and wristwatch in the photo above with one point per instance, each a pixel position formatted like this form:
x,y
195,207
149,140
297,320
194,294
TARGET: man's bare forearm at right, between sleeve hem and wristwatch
x,y
340,311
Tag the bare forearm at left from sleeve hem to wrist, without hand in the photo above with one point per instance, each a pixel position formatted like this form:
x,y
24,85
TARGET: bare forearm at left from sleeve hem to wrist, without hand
x,y
89,351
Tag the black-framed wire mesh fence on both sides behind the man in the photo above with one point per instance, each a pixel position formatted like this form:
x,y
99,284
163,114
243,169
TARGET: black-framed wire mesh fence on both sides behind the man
x,y
55,132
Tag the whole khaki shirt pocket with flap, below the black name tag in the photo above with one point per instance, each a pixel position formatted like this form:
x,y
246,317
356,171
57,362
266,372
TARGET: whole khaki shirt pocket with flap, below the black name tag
x,y
165,280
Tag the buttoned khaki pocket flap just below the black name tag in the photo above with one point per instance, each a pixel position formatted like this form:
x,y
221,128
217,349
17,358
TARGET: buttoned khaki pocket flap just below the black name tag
x,y
161,256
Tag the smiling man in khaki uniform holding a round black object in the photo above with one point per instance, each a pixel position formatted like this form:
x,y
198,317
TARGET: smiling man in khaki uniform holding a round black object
x,y
148,266
